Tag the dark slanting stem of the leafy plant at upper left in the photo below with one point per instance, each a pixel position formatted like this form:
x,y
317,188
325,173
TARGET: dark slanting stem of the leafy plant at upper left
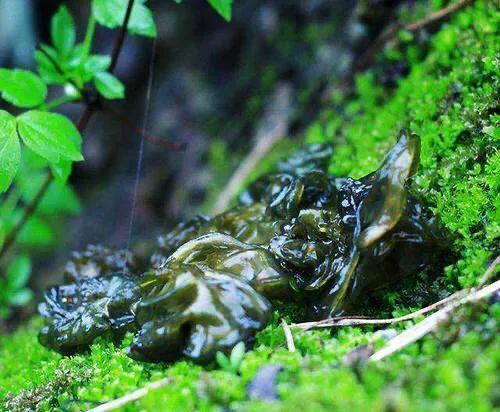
x,y
81,125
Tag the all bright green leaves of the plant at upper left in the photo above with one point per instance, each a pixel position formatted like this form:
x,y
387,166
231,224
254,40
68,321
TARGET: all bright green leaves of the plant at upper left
x,y
34,138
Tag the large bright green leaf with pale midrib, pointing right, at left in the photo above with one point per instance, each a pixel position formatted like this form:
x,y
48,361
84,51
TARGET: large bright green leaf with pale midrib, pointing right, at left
x,y
51,135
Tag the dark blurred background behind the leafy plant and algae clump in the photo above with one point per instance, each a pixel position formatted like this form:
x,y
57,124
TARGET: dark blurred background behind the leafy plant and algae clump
x,y
217,86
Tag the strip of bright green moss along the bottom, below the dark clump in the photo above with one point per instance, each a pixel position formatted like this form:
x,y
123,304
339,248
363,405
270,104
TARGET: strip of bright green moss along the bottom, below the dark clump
x,y
446,374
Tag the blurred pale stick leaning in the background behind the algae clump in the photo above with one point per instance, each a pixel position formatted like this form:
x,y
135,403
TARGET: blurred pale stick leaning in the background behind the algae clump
x,y
272,127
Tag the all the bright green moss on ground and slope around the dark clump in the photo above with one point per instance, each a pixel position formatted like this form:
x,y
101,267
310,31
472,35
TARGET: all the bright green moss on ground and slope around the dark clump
x,y
449,98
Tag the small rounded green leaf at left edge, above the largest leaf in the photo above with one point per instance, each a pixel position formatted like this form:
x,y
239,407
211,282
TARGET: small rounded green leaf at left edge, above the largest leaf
x,y
22,88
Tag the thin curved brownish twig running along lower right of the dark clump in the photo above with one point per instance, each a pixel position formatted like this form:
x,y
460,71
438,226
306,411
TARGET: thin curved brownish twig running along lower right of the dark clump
x,y
359,320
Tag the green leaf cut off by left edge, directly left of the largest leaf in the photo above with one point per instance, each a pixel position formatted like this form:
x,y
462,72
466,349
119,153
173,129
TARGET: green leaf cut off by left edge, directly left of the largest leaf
x,y
10,150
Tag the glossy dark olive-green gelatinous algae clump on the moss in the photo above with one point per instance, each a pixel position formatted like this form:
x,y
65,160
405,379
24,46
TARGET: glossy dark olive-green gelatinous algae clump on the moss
x,y
298,235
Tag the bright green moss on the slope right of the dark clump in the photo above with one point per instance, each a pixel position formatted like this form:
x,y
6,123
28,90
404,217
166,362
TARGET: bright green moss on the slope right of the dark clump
x,y
449,99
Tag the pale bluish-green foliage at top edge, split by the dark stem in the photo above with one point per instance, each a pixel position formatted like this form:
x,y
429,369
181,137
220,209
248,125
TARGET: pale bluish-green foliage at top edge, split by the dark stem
x,y
111,13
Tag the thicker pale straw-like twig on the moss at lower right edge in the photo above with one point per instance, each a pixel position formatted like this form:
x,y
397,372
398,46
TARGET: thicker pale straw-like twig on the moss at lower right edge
x,y
432,322
